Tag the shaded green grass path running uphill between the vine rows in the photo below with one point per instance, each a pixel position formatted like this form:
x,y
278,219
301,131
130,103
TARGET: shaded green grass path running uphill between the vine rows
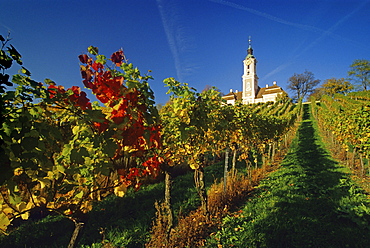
x,y
309,202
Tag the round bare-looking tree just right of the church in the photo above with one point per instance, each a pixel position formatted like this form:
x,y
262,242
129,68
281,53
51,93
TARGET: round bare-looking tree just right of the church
x,y
302,84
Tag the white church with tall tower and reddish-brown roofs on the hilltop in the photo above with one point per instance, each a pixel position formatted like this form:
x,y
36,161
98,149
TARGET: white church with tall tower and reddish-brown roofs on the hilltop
x,y
252,93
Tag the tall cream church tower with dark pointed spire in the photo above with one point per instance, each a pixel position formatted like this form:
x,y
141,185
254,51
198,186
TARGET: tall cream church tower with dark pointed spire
x,y
250,79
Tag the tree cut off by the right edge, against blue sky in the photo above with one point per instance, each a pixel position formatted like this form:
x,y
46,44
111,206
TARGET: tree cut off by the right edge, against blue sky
x,y
360,72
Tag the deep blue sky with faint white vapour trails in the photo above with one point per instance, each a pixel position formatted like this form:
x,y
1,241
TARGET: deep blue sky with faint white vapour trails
x,y
199,42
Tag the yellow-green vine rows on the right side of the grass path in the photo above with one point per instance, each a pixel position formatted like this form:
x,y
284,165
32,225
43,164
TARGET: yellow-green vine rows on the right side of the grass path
x,y
344,121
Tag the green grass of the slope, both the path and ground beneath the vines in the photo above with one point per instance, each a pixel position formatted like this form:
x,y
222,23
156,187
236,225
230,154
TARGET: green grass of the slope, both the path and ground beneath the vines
x,y
310,201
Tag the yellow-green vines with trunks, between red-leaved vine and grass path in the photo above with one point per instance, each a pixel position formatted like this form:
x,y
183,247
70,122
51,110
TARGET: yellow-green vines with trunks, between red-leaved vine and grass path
x,y
198,125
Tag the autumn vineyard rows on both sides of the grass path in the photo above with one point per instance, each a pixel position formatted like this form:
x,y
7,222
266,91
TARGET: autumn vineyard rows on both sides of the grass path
x,y
121,173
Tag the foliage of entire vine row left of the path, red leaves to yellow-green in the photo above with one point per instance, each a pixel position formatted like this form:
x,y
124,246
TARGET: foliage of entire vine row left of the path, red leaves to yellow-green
x,y
64,152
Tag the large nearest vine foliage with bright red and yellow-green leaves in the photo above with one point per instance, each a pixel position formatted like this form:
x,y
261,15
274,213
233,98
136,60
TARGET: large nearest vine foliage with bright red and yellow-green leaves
x,y
66,152
